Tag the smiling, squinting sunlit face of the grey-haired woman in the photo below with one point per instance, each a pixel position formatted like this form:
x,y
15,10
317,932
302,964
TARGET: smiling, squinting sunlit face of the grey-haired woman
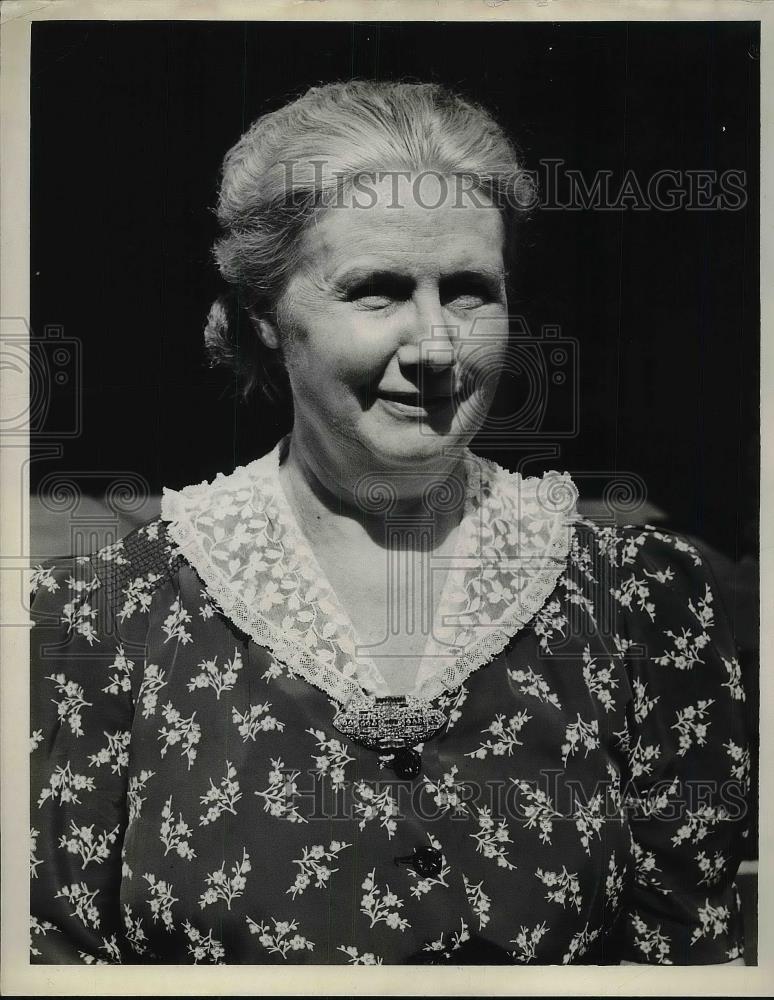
x,y
396,326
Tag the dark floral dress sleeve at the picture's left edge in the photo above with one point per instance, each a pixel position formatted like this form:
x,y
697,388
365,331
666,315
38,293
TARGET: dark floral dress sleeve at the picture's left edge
x,y
81,712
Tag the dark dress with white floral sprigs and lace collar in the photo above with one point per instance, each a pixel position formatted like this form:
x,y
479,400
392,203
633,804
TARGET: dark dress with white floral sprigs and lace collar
x,y
584,800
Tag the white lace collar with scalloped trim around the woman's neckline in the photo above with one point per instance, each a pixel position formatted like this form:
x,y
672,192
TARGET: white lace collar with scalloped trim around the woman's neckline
x,y
240,535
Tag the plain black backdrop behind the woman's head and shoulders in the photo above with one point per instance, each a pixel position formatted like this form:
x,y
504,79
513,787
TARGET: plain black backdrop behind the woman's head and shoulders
x,y
130,122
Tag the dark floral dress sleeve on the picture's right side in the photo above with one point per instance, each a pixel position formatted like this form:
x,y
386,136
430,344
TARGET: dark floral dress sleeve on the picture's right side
x,y
688,755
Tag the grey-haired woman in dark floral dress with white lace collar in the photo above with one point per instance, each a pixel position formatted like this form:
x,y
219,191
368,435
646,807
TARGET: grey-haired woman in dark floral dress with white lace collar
x,y
372,698
